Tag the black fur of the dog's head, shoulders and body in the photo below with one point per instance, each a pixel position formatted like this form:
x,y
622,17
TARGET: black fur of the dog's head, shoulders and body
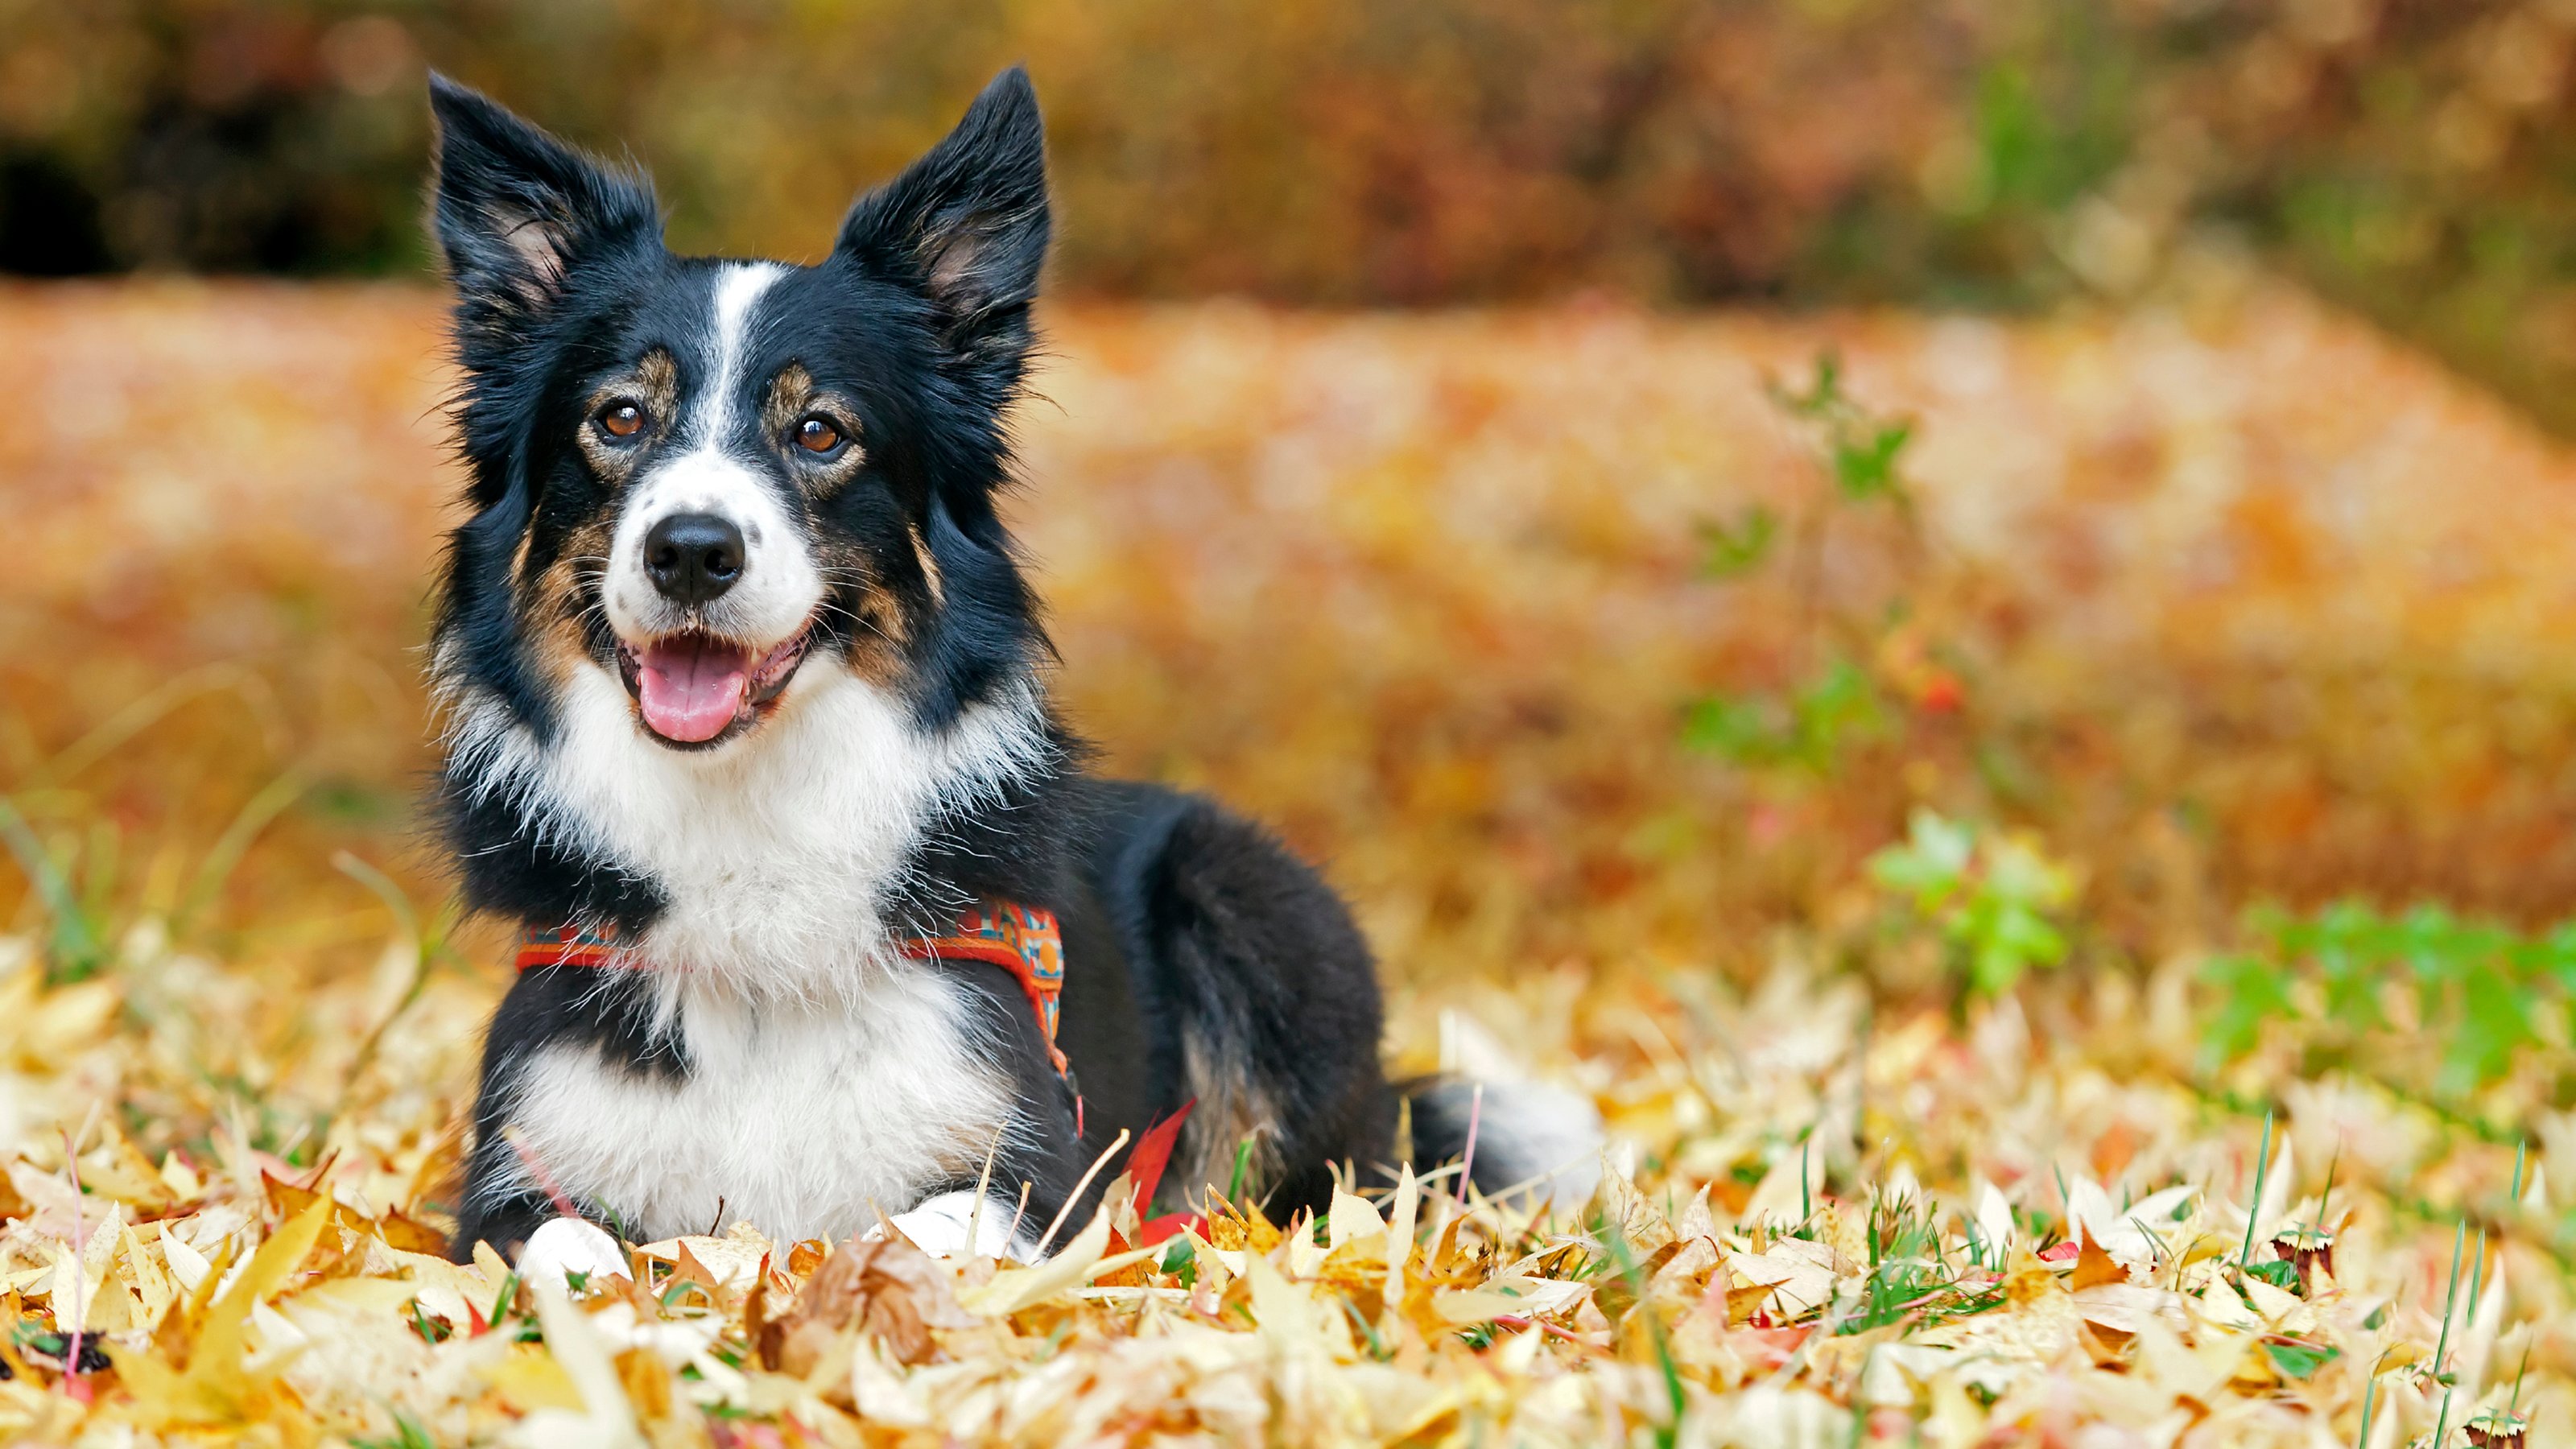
x,y
1204,960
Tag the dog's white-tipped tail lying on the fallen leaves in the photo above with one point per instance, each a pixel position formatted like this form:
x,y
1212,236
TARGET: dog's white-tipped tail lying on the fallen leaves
x,y
1519,1138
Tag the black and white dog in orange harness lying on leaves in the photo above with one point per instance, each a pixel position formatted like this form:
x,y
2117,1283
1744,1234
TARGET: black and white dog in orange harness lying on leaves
x,y
748,728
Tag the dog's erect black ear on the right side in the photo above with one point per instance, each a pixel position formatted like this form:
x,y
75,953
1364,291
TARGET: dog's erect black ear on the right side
x,y
967,223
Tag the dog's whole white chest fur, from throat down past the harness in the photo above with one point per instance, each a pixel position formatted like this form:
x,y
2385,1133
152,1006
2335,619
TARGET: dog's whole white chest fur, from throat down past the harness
x,y
828,1079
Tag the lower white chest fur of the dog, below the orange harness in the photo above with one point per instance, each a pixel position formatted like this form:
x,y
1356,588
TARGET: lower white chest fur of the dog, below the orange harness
x,y
805,1120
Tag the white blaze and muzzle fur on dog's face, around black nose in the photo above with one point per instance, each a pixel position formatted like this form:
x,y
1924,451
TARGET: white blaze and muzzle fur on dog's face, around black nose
x,y
779,587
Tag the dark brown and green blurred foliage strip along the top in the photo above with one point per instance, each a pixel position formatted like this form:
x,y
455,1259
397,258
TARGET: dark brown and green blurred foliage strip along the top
x,y
2402,156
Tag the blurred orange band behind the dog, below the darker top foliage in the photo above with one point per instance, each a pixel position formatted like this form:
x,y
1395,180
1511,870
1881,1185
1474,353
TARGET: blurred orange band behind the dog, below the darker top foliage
x,y
2242,605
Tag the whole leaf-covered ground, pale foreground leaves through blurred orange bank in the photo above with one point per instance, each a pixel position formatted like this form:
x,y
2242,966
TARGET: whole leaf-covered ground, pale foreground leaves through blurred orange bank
x,y
1908,801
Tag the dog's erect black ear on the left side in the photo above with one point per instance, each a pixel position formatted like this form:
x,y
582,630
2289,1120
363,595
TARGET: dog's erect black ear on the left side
x,y
519,210
